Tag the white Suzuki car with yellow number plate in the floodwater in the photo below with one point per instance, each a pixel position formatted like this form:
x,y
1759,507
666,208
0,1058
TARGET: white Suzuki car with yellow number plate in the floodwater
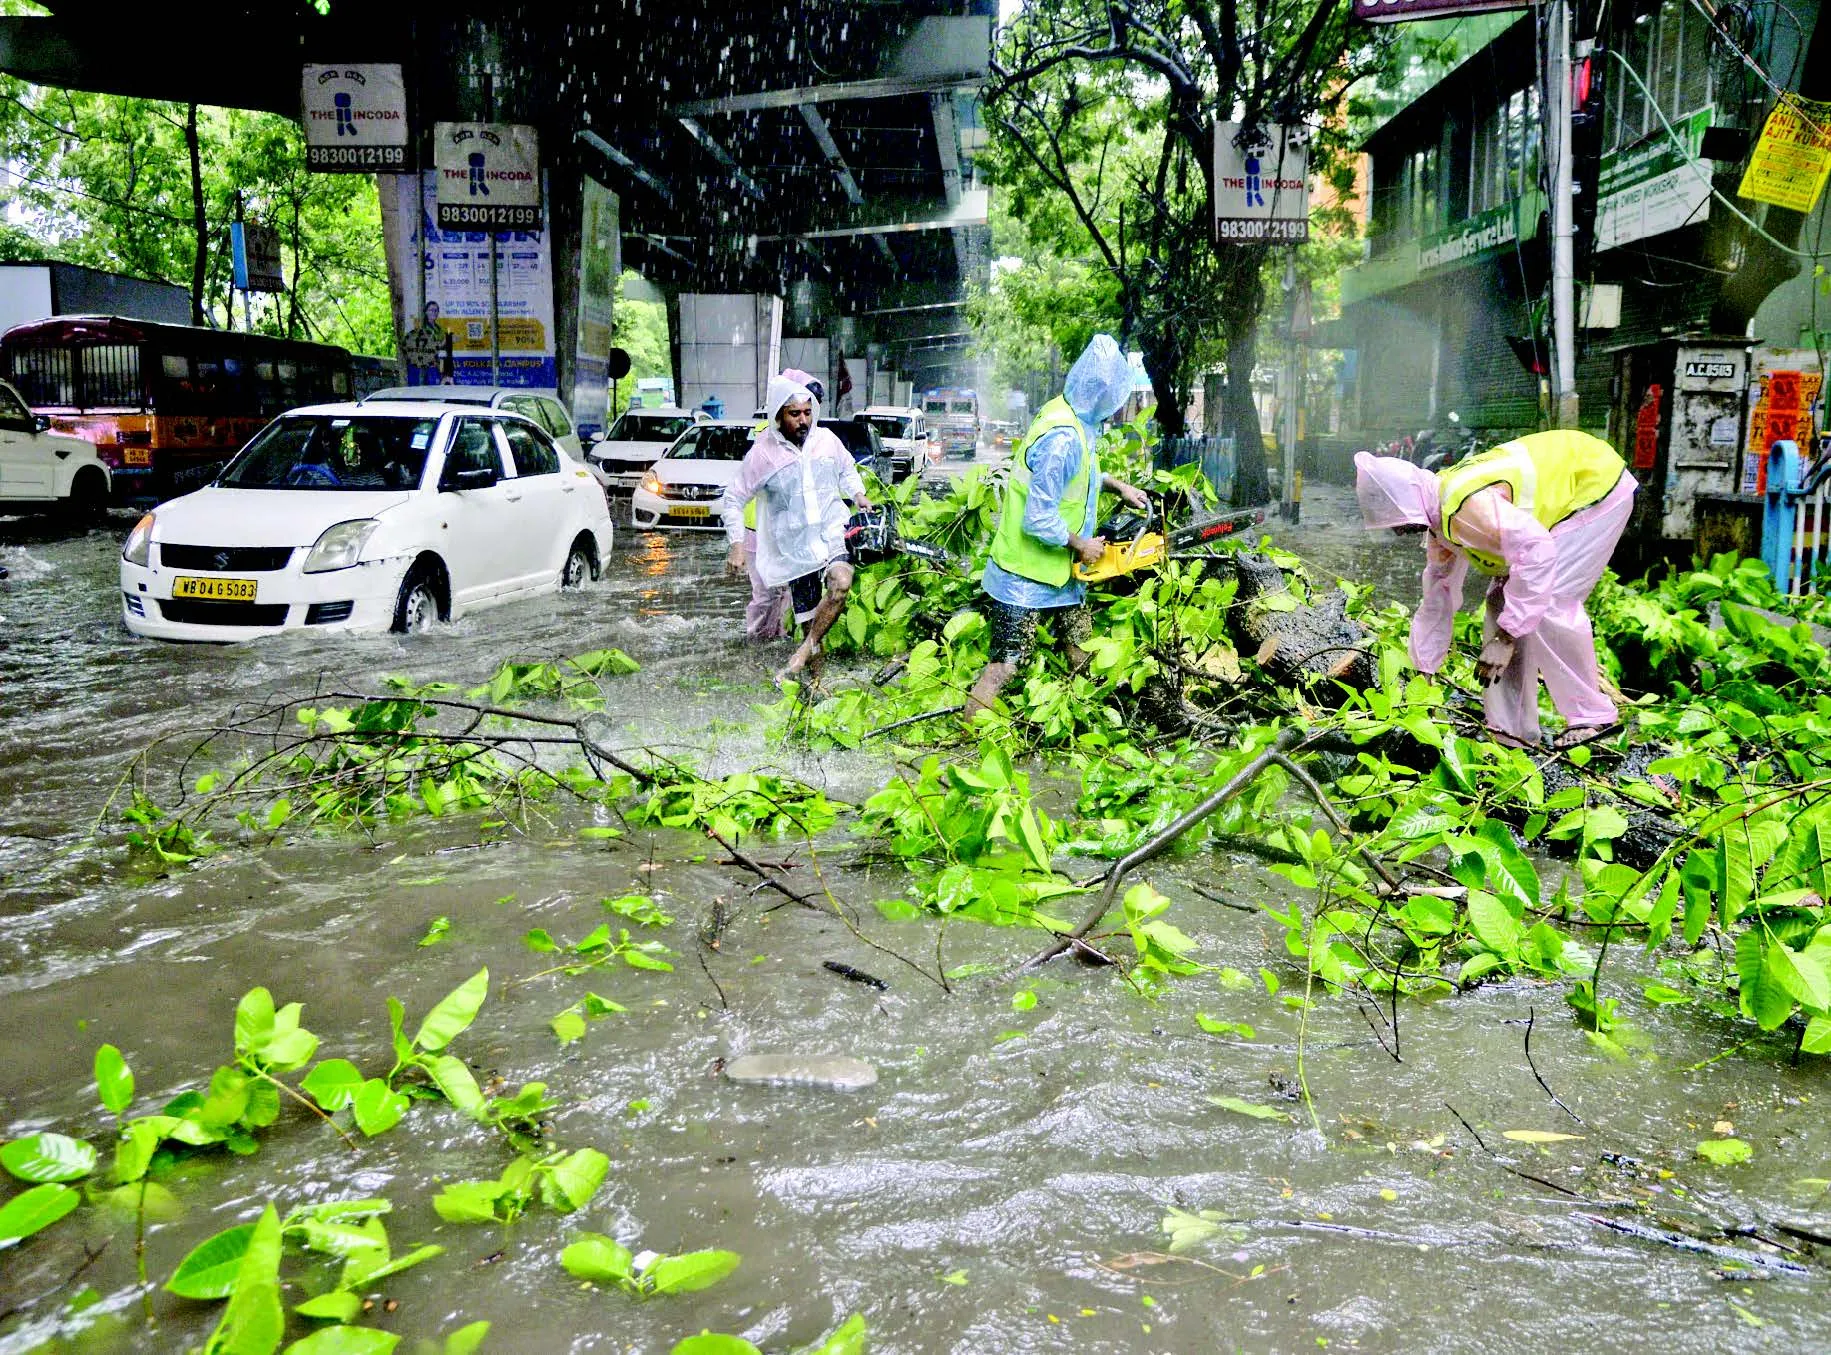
x,y
367,517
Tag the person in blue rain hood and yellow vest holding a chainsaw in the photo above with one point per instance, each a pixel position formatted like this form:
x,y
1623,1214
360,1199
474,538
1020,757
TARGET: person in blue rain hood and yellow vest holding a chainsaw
x,y
1048,519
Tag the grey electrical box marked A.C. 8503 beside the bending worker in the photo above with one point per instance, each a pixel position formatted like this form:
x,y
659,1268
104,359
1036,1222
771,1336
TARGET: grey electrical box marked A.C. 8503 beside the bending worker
x,y
1680,420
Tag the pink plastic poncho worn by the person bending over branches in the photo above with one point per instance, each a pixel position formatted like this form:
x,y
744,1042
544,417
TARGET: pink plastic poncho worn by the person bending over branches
x,y
1539,602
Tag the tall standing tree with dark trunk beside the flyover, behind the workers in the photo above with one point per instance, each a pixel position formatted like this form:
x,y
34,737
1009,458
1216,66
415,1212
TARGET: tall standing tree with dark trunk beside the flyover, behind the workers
x,y
1112,107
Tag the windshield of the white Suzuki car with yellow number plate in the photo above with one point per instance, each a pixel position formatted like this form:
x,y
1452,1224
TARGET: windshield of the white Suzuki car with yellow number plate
x,y
330,451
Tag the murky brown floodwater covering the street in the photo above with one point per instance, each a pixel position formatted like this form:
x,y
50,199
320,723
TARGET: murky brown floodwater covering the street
x,y
1002,1186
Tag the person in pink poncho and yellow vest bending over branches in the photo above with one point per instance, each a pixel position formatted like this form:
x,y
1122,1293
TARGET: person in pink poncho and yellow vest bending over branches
x,y
1539,517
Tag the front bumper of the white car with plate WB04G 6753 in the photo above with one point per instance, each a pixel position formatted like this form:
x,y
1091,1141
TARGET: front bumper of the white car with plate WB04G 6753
x,y
360,598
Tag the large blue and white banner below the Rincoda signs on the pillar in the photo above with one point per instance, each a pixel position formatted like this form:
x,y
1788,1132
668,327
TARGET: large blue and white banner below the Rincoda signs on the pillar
x,y
455,299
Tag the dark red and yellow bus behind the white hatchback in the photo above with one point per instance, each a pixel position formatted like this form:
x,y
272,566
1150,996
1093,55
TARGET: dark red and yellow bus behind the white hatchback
x,y
164,404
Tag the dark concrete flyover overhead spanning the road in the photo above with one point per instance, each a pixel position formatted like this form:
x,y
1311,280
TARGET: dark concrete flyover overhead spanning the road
x,y
821,157
